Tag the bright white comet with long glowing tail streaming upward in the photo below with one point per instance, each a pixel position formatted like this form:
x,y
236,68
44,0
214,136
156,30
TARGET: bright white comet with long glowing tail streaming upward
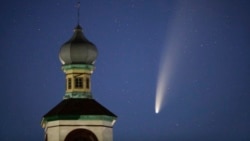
x,y
177,35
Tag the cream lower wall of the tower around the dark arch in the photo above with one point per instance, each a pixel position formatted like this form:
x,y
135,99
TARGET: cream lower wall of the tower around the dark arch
x,y
58,130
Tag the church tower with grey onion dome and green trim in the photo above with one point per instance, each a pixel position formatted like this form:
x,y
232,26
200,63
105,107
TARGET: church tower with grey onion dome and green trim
x,y
78,117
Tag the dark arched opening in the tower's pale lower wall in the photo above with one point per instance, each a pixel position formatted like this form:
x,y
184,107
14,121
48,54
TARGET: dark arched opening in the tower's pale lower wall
x,y
81,135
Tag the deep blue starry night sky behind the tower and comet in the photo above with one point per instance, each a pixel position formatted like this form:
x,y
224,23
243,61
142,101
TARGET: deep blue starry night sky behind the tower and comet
x,y
208,94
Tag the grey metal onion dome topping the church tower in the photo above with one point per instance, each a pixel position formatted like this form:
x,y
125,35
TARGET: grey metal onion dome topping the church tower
x,y
78,50
